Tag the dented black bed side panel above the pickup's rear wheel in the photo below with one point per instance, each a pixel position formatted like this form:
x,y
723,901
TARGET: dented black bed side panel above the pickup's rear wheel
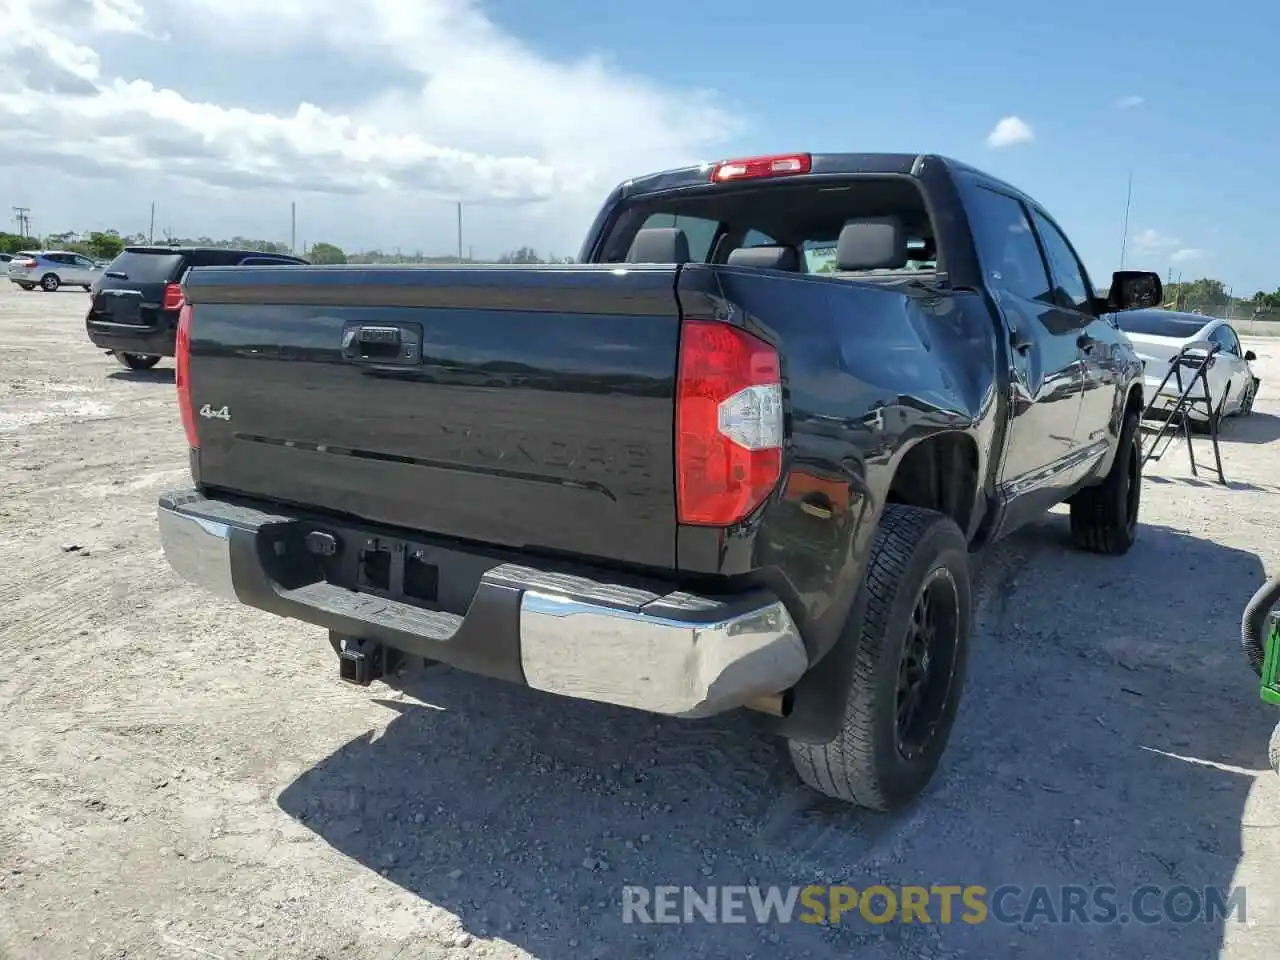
x,y
866,386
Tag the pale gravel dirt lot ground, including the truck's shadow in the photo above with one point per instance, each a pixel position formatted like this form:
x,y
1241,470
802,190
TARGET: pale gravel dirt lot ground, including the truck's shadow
x,y
186,779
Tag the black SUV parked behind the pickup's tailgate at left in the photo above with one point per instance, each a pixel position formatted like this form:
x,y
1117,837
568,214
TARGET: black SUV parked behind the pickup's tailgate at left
x,y
135,304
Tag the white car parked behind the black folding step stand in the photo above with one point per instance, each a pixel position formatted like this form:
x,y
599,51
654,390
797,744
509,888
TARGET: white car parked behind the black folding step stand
x,y
1159,336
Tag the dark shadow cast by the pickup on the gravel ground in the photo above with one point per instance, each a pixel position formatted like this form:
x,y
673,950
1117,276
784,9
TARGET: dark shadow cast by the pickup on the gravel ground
x,y
1109,735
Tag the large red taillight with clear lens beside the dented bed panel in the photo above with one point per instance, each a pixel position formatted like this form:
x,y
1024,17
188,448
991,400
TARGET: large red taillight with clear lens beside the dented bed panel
x,y
729,424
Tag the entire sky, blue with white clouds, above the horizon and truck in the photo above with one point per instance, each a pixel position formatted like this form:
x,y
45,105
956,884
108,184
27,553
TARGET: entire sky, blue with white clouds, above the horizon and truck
x,y
377,116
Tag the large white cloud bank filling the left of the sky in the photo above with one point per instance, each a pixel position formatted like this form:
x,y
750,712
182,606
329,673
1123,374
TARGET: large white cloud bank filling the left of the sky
x,y
376,117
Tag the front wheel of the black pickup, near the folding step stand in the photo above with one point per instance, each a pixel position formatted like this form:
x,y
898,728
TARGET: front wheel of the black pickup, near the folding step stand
x,y
1105,518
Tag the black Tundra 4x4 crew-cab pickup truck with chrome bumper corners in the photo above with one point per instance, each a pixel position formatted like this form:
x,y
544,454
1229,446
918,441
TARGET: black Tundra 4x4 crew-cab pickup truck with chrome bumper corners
x,y
739,458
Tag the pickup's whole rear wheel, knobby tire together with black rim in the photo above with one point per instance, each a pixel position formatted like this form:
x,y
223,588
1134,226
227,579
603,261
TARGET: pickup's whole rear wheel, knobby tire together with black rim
x,y
912,655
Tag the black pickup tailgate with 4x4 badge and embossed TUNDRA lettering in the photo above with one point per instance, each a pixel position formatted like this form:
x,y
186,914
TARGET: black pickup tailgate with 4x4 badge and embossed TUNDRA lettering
x,y
520,406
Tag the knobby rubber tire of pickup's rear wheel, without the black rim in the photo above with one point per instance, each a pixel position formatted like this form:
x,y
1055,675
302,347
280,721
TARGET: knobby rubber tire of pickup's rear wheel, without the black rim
x,y
863,764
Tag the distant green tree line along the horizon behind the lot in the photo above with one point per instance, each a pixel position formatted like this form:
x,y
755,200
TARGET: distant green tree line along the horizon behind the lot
x,y
1208,296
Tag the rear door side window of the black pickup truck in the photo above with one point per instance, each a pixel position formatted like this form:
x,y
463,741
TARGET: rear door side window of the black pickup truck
x,y
1007,246
